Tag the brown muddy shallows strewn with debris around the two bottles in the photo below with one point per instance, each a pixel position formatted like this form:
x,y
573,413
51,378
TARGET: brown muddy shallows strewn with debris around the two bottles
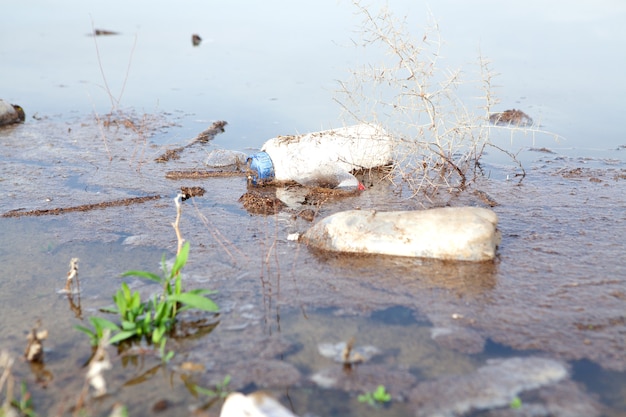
x,y
556,289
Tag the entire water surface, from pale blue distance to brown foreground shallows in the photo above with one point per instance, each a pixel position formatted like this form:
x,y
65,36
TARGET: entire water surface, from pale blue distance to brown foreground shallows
x,y
556,292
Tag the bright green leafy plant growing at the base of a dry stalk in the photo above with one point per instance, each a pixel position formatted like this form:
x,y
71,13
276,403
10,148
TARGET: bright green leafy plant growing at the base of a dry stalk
x,y
153,319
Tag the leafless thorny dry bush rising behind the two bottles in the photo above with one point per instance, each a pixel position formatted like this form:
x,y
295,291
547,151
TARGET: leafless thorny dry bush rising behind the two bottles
x,y
439,138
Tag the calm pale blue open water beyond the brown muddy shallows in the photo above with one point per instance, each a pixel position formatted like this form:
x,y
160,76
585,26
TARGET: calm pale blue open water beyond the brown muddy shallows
x,y
272,68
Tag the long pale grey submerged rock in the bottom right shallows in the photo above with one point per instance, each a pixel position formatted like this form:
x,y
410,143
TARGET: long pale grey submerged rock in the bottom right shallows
x,y
494,385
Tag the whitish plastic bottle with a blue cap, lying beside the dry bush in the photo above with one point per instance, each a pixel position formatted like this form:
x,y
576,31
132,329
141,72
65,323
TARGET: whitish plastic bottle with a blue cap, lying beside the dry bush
x,y
322,158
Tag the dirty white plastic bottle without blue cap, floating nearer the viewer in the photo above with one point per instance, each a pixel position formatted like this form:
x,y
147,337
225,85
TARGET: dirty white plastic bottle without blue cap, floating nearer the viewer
x,y
449,233
